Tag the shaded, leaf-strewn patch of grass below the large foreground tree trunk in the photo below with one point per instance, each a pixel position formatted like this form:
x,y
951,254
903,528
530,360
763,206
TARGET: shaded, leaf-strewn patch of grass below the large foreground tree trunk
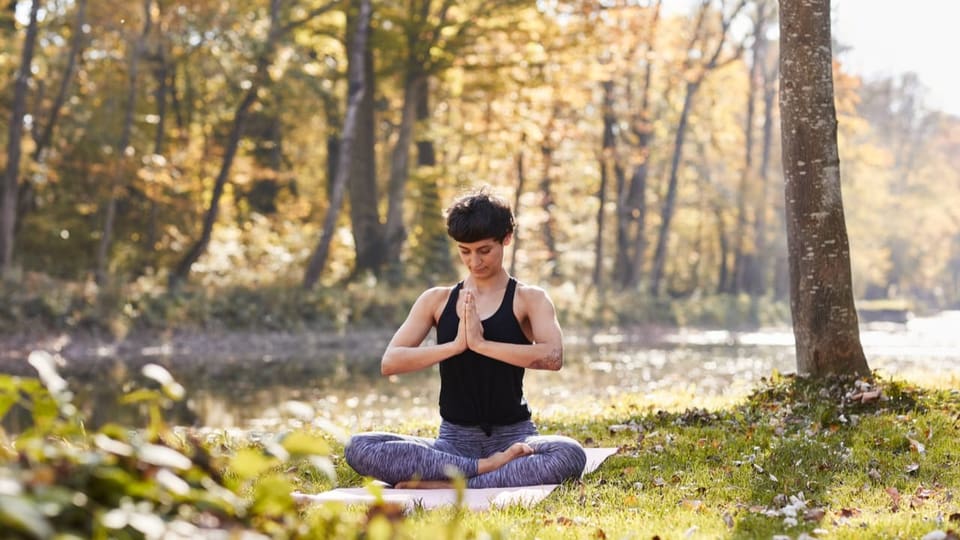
x,y
820,444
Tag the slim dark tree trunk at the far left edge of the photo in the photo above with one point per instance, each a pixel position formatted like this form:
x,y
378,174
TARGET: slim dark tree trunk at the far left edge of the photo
x,y
8,194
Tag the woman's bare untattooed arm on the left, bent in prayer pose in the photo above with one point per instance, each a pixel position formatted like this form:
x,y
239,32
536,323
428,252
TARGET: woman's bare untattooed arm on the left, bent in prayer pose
x,y
404,353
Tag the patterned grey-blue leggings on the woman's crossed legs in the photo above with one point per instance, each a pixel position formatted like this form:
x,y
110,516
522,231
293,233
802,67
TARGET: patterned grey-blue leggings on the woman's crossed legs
x,y
395,458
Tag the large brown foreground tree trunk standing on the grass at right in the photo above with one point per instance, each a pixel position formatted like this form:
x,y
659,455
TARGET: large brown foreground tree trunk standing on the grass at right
x,y
821,297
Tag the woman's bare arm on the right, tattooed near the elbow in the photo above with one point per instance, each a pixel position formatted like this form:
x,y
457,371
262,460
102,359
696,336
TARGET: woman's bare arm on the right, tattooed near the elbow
x,y
546,352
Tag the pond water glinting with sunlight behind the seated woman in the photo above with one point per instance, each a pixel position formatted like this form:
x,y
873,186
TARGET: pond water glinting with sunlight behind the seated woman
x,y
343,385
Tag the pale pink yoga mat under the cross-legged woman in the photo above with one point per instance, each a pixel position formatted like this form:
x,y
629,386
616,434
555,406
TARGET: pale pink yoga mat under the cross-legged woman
x,y
474,499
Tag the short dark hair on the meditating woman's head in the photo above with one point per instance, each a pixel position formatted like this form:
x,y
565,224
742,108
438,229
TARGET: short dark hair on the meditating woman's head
x,y
479,215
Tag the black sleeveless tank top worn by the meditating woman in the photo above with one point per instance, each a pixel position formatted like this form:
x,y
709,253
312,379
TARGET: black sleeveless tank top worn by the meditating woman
x,y
476,390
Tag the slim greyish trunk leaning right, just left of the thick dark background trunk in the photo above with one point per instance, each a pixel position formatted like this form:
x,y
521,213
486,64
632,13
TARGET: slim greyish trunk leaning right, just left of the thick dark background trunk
x,y
356,88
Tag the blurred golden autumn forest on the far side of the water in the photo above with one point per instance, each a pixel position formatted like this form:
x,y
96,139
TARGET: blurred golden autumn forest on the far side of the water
x,y
175,163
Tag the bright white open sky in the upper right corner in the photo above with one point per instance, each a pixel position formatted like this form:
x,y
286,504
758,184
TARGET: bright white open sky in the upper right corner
x,y
891,37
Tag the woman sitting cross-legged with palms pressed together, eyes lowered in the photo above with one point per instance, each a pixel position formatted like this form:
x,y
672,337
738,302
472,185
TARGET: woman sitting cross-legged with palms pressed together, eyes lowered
x,y
489,329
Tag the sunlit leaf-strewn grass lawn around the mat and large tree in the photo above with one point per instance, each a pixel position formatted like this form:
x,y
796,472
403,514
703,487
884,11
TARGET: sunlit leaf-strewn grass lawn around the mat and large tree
x,y
843,460
